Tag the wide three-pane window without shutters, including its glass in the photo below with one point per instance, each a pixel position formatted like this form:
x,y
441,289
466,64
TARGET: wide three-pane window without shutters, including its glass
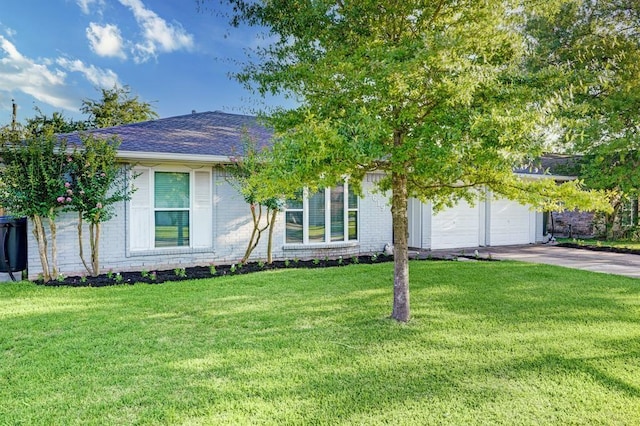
x,y
329,215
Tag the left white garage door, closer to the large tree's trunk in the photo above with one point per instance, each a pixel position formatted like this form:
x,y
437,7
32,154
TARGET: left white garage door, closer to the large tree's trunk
x,y
457,227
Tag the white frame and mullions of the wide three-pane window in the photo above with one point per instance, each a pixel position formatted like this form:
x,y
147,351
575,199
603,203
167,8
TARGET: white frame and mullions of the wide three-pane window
x,y
327,219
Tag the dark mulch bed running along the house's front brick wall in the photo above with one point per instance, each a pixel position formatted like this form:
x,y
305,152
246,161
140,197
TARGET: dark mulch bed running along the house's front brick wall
x,y
197,272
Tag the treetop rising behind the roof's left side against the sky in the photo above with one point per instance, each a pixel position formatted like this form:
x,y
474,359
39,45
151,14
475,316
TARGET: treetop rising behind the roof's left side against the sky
x,y
116,107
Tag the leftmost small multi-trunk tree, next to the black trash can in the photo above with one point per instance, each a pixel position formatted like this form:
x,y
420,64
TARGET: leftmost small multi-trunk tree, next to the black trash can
x,y
32,185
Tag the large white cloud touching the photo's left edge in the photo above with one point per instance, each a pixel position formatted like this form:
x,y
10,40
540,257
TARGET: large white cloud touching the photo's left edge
x,y
46,79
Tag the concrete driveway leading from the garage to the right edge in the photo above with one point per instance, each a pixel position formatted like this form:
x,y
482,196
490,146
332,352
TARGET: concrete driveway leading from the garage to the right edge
x,y
595,261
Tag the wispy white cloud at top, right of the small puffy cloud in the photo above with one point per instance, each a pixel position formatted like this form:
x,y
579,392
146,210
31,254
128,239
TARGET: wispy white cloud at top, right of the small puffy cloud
x,y
158,35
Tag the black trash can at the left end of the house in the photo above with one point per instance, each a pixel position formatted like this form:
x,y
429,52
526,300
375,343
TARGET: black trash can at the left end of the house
x,y
13,244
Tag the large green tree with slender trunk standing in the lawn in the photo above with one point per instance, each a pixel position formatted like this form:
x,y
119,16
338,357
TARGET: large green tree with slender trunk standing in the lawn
x,y
435,94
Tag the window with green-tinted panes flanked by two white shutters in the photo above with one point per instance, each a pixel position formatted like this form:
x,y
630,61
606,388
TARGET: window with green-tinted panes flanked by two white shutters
x,y
171,208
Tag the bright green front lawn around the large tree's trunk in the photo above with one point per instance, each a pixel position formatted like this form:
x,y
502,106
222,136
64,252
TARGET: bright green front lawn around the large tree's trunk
x,y
489,343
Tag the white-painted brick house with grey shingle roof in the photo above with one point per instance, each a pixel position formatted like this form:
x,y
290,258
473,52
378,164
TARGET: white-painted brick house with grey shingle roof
x,y
185,212
